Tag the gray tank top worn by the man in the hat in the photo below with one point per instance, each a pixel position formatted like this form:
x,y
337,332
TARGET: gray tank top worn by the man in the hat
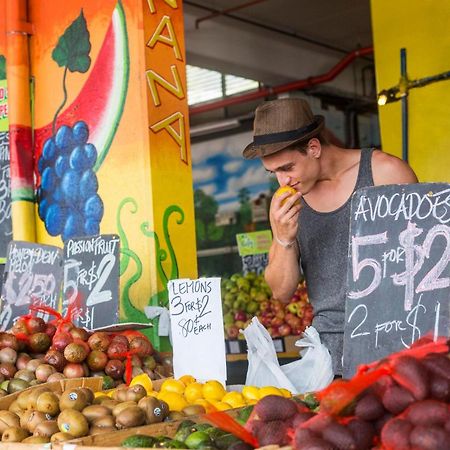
x,y
324,241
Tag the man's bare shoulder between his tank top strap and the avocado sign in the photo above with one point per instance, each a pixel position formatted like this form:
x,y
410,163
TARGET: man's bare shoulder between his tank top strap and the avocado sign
x,y
388,169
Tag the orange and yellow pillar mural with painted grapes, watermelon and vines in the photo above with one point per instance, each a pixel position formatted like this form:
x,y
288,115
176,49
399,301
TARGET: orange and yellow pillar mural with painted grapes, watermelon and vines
x,y
111,148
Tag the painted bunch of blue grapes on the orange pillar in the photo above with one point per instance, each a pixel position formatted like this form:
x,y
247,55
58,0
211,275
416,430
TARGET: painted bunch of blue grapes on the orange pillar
x,y
69,204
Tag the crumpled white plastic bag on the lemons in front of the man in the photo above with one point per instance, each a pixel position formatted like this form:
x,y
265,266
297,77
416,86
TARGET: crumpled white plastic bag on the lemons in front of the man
x,y
310,373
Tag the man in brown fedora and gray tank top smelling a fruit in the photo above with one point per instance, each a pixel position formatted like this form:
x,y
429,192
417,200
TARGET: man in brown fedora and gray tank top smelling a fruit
x,y
311,227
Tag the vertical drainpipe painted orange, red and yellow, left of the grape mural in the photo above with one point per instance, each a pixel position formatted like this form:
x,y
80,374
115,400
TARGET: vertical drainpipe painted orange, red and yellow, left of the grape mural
x,y
21,155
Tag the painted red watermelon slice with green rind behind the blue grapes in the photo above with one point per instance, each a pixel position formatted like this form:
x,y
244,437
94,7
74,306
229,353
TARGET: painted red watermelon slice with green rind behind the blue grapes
x,y
101,101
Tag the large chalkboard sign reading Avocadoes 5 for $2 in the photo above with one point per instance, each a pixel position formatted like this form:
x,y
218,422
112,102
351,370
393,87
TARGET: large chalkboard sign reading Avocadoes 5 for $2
x,y
398,281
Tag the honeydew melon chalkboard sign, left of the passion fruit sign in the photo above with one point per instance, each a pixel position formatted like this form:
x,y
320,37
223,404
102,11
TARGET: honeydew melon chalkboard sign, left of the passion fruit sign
x,y
33,275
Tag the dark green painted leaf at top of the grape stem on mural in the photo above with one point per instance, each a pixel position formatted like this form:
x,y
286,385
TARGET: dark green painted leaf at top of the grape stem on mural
x,y
72,50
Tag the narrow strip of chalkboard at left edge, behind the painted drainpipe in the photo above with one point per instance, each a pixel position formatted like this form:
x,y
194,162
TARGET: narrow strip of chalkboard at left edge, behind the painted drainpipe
x,y
5,194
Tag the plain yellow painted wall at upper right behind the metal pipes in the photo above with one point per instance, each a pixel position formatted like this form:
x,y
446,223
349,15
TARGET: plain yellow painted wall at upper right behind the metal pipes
x,y
422,27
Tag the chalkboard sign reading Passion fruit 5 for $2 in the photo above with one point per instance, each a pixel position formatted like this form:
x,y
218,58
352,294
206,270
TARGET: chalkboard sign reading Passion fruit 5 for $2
x,y
91,280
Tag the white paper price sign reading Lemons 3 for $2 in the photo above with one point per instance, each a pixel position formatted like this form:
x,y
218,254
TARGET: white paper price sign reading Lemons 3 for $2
x,y
196,319
